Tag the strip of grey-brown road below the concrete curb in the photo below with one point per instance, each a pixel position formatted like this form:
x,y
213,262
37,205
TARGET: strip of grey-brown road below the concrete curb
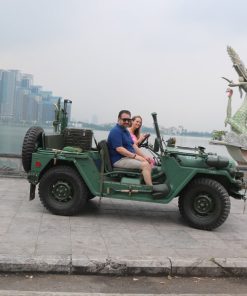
x,y
119,285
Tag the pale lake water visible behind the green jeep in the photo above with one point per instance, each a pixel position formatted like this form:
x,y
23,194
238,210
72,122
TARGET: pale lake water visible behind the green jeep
x,y
11,138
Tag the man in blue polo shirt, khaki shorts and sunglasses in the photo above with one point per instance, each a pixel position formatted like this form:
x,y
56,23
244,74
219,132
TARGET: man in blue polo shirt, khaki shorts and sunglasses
x,y
123,152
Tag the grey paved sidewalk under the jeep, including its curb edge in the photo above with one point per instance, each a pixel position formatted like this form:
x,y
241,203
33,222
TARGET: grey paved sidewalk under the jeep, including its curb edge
x,y
115,237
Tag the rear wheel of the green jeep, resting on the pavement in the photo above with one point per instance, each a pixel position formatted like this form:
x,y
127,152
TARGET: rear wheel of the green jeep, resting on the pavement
x,y
62,191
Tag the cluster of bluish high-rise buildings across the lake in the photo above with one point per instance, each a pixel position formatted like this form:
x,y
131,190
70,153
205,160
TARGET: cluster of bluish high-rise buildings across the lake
x,y
22,101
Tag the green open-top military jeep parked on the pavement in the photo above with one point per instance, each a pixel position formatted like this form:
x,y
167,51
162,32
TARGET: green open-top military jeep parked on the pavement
x,y
70,171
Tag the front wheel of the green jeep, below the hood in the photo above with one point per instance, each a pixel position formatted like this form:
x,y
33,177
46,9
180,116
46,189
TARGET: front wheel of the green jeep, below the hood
x,y
205,204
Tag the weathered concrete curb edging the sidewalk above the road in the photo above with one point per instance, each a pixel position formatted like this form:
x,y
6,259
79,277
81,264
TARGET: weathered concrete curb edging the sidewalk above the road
x,y
213,267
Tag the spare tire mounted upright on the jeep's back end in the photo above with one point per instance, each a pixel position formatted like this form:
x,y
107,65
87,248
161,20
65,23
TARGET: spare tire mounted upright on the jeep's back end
x,y
32,141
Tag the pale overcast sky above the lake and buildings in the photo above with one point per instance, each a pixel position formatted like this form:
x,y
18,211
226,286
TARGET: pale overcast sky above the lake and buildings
x,y
163,56
